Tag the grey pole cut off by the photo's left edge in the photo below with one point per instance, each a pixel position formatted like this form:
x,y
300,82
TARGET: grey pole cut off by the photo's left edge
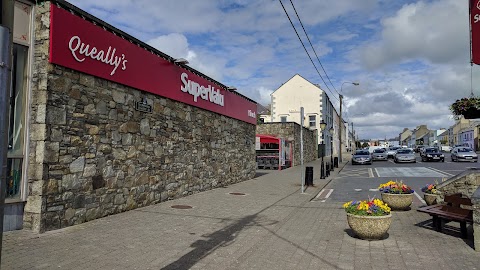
x,y
6,49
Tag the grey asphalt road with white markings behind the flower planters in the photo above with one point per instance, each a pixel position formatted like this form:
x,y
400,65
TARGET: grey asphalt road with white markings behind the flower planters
x,y
360,182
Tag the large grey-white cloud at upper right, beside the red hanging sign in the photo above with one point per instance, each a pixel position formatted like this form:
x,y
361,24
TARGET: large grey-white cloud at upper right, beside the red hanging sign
x,y
435,31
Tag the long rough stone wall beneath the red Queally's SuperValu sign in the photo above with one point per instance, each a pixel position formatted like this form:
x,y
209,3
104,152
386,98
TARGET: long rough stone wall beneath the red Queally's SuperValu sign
x,y
91,154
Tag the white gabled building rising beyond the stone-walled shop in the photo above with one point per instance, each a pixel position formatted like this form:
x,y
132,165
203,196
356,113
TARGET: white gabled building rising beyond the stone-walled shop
x,y
298,92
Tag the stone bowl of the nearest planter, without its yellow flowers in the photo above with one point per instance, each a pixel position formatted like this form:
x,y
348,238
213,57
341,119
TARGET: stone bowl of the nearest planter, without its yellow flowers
x,y
369,227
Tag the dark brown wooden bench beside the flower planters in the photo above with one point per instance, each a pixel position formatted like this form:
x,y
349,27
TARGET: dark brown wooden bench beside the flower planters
x,y
451,210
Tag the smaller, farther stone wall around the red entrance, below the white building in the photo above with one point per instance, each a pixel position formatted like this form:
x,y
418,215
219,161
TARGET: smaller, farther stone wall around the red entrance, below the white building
x,y
291,131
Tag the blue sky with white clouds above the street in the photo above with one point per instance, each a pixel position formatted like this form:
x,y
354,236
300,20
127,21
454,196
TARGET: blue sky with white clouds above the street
x,y
410,58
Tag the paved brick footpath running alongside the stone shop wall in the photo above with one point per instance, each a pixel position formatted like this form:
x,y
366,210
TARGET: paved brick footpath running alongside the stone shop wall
x,y
273,226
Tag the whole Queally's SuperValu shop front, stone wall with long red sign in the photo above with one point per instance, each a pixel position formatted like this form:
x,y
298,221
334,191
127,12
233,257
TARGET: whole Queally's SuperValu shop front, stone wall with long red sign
x,y
103,123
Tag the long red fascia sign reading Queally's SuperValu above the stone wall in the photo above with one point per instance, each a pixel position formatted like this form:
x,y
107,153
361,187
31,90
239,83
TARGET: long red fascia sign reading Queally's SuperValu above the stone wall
x,y
80,45
